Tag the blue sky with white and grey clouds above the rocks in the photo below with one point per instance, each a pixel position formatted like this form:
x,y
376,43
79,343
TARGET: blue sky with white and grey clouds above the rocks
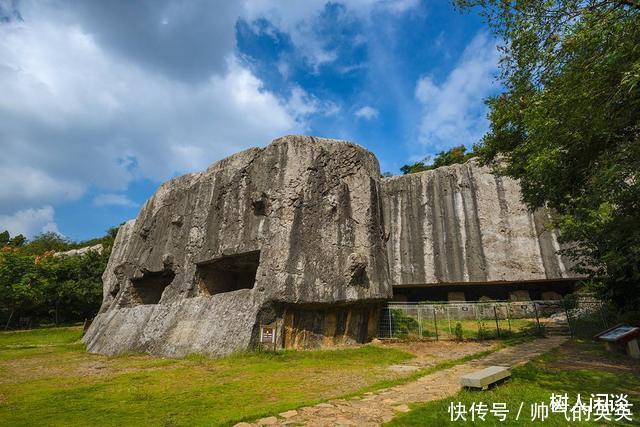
x,y
103,101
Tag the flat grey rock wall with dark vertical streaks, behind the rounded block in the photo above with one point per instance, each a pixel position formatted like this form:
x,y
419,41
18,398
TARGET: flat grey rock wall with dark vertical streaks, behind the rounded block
x,y
461,223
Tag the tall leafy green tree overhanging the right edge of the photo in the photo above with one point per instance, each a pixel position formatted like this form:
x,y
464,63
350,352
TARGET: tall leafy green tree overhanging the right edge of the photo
x,y
568,125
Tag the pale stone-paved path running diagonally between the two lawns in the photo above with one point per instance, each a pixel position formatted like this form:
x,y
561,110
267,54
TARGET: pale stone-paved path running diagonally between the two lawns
x,y
378,407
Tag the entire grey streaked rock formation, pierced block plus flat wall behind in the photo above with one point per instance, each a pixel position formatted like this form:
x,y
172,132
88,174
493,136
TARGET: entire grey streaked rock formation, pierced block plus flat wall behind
x,y
304,236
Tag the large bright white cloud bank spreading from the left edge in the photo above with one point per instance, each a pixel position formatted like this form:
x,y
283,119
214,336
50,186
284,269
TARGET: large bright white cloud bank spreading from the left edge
x,y
76,115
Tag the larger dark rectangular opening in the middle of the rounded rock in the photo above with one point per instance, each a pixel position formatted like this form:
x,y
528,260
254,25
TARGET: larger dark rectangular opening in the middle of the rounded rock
x,y
228,273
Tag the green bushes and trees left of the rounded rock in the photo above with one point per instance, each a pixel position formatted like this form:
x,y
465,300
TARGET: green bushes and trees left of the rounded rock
x,y
37,287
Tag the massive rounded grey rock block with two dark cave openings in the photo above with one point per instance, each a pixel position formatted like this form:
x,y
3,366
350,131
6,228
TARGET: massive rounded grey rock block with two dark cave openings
x,y
290,235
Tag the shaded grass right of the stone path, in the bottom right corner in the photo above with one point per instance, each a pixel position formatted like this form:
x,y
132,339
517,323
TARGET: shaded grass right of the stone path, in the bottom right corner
x,y
577,367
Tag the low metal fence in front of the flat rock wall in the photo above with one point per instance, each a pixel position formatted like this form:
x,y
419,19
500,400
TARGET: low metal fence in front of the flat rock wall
x,y
492,319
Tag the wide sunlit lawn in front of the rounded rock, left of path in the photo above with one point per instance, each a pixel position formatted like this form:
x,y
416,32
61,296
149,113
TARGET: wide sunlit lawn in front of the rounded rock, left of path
x,y
47,378
